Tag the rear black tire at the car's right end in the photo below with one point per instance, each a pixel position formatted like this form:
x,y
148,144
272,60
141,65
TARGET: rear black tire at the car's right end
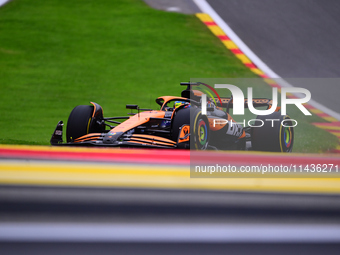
x,y
273,136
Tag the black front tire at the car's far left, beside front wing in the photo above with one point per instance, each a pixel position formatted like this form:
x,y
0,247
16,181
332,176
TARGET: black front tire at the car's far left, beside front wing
x,y
78,123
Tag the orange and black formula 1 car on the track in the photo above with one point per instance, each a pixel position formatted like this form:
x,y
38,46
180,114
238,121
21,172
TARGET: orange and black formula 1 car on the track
x,y
179,123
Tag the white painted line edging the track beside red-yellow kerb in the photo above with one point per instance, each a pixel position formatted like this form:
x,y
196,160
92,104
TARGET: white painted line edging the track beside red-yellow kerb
x,y
206,8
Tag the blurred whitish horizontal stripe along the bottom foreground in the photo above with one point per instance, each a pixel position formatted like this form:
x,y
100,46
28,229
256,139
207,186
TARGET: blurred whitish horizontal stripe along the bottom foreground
x,y
86,232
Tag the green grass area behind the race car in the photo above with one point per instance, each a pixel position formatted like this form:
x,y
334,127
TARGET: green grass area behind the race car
x,y
57,54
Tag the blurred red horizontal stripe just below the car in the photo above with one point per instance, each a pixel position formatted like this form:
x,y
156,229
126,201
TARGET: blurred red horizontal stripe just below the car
x,y
169,157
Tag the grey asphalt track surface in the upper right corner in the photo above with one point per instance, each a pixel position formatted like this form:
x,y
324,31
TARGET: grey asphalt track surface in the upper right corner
x,y
296,39
